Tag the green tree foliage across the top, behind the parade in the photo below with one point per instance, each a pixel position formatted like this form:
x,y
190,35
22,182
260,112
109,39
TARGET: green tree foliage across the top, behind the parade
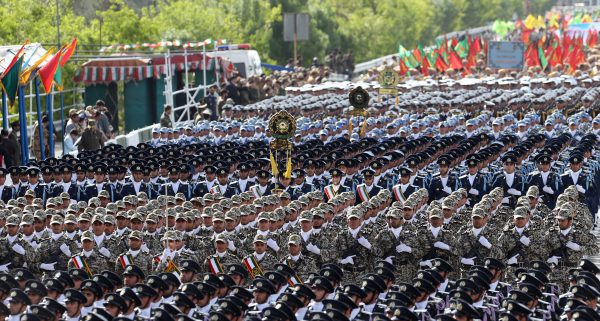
x,y
371,28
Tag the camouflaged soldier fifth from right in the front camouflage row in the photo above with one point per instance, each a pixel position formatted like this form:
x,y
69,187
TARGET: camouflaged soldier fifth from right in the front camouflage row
x,y
401,245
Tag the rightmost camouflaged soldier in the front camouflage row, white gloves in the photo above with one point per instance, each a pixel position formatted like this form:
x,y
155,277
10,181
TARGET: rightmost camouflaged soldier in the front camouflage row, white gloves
x,y
567,245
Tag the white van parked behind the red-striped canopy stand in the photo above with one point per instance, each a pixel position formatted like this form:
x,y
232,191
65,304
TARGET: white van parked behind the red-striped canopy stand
x,y
245,60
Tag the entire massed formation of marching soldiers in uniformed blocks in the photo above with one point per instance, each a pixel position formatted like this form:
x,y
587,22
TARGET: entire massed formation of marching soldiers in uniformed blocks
x,y
469,199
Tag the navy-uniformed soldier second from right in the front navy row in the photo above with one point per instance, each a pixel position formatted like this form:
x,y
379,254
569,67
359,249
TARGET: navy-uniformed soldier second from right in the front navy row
x,y
547,181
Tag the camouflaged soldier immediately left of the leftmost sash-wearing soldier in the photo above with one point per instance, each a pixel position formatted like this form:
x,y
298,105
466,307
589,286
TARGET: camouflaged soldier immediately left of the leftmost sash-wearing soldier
x,y
55,251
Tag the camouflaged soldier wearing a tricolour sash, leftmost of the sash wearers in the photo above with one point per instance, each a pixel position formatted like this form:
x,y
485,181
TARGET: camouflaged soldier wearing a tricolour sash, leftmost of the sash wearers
x,y
89,256
